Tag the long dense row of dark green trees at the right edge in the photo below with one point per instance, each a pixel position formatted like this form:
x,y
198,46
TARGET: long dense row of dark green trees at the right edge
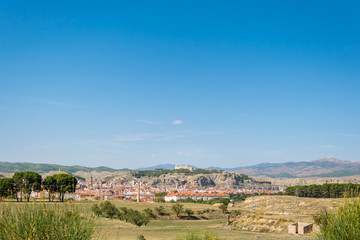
x,y
333,190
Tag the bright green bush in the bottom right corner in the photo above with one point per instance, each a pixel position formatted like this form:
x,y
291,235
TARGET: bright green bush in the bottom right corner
x,y
343,223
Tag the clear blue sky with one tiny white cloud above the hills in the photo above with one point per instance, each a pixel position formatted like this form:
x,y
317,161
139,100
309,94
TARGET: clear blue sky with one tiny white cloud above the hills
x,y
208,83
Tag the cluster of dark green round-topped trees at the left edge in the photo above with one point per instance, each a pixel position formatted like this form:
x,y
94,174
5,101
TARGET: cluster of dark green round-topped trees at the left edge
x,y
22,184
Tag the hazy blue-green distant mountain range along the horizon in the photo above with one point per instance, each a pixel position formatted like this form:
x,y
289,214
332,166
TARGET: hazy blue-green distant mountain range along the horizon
x,y
326,167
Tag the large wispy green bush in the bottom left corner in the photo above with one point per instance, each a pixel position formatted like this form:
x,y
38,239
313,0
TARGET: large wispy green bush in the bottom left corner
x,y
45,222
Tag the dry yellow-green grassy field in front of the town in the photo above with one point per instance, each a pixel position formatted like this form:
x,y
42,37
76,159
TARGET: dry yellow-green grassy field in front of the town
x,y
263,217
